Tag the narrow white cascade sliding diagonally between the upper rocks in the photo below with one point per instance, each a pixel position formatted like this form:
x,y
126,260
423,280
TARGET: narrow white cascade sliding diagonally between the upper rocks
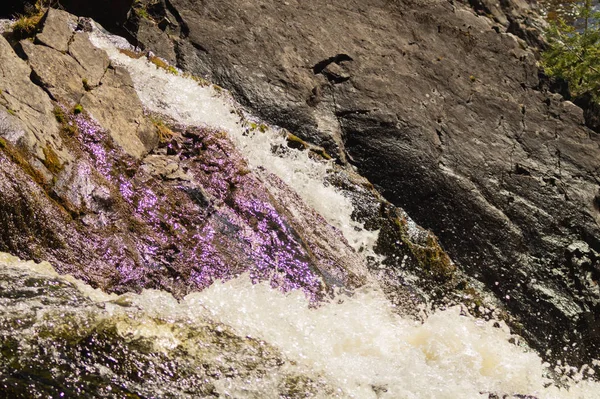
x,y
189,103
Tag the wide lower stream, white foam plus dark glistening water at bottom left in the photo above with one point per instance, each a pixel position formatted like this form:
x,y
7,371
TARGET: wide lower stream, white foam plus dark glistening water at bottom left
x,y
236,339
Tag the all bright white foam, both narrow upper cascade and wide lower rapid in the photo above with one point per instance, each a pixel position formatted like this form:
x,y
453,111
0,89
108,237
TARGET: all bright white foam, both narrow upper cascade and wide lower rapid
x,y
358,343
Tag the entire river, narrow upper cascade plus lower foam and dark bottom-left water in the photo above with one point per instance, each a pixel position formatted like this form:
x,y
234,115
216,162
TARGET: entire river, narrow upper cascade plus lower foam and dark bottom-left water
x,y
62,338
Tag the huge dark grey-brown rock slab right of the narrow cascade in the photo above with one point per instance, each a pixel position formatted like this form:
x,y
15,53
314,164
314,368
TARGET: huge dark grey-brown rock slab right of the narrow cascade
x,y
443,111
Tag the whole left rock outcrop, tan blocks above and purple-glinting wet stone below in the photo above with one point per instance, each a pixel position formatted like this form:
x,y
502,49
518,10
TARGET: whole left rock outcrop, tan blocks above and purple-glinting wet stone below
x,y
87,186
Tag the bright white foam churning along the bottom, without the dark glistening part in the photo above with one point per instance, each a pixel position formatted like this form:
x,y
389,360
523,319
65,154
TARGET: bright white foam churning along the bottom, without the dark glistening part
x,y
357,344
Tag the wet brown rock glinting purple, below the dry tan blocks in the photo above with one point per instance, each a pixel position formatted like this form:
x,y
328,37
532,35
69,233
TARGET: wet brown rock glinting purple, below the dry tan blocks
x,y
177,222
